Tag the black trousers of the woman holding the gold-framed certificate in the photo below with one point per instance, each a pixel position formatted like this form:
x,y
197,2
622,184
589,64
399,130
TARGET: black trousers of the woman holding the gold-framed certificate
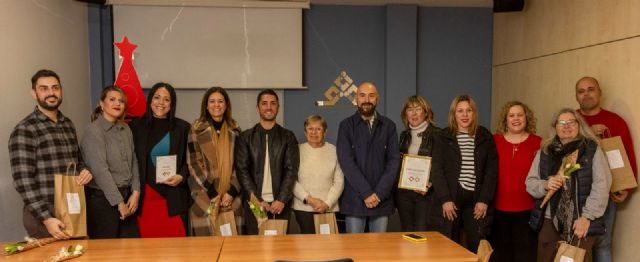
x,y
413,209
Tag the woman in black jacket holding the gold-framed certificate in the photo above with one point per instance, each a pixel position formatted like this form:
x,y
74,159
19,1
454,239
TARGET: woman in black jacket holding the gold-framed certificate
x,y
414,204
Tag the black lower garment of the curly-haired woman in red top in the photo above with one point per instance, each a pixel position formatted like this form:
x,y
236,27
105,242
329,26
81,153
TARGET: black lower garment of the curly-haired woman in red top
x,y
512,239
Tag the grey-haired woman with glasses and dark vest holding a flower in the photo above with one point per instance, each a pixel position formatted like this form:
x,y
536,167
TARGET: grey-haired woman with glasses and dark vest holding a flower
x,y
570,180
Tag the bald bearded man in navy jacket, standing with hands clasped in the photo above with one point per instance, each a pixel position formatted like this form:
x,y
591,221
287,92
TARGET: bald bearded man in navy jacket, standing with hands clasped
x,y
368,154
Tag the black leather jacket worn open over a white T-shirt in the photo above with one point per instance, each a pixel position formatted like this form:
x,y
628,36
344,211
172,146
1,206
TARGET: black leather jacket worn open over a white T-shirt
x,y
284,157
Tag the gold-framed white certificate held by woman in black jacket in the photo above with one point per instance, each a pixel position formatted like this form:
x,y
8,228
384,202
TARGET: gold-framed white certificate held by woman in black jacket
x,y
415,172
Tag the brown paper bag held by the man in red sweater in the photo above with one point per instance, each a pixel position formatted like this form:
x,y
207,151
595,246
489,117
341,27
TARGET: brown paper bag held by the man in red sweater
x,y
621,173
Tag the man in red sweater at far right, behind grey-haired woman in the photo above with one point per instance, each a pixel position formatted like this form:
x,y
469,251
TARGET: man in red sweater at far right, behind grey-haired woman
x,y
604,124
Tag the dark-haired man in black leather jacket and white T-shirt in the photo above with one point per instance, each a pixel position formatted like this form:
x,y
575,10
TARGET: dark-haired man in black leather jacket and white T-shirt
x,y
266,162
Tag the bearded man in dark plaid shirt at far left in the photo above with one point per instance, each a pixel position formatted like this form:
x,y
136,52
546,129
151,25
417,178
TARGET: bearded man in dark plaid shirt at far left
x,y
40,146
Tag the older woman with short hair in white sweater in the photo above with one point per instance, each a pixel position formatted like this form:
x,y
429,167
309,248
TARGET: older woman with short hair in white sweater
x,y
320,179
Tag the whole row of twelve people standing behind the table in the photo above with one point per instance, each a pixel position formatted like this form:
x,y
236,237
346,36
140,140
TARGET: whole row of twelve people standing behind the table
x,y
482,186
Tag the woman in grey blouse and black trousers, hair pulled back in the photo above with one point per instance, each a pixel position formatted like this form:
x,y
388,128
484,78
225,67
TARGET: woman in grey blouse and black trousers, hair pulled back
x,y
107,149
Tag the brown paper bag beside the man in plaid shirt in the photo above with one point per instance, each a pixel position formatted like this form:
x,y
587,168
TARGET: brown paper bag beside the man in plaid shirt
x,y
69,202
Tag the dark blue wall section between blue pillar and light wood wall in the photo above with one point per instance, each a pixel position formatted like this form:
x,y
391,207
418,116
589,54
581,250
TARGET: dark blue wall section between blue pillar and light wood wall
x,y
455,50
